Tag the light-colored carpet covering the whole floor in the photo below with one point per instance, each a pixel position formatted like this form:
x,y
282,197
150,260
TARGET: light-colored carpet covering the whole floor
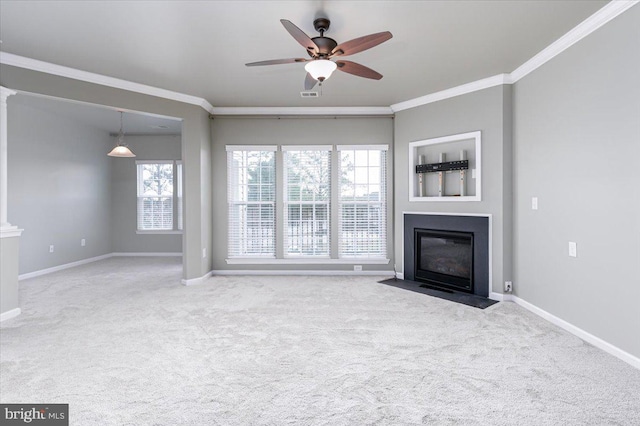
x,y
124,344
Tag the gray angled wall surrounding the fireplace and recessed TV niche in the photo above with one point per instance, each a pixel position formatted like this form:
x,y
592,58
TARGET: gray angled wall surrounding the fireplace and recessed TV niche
x,y
487,111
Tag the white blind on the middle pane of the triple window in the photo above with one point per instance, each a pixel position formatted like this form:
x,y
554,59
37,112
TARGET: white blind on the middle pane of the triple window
x,y
307,201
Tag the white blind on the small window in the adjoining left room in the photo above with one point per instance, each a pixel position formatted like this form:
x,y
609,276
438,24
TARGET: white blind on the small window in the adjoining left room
x,y
155,195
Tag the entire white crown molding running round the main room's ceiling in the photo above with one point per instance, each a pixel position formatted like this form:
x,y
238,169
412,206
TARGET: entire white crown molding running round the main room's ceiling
x,y
589,25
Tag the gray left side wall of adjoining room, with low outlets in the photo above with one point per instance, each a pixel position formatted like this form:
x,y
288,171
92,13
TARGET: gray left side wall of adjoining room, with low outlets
x,y
58,186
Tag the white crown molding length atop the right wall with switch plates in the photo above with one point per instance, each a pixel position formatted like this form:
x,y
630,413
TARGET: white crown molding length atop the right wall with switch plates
x,y
586,27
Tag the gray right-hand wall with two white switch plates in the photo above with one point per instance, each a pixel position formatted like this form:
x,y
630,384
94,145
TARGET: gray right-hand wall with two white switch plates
x,y
577,146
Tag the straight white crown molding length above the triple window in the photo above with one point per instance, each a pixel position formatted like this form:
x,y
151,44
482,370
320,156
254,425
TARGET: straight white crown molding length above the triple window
x,y
221,111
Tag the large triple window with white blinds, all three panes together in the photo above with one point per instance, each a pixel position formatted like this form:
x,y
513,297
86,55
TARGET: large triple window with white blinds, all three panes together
x,y
307,202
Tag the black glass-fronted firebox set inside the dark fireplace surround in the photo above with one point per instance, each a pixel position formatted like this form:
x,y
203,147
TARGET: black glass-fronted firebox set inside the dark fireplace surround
x,y
444,259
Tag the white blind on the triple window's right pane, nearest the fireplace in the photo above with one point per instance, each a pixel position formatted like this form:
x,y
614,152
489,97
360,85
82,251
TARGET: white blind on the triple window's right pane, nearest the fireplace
x,y
362,201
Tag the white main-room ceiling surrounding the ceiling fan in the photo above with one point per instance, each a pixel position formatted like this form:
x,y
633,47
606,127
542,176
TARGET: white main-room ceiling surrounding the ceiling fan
x,y
199,48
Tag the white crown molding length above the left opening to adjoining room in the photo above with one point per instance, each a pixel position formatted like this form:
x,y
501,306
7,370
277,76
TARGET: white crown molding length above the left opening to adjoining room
x,y
103,80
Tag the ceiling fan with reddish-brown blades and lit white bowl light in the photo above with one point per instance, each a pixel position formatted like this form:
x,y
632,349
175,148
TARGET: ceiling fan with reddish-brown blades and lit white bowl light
x,y
322,49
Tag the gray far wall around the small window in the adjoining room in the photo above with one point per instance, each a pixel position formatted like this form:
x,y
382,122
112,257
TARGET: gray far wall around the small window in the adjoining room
x,y
124,196
